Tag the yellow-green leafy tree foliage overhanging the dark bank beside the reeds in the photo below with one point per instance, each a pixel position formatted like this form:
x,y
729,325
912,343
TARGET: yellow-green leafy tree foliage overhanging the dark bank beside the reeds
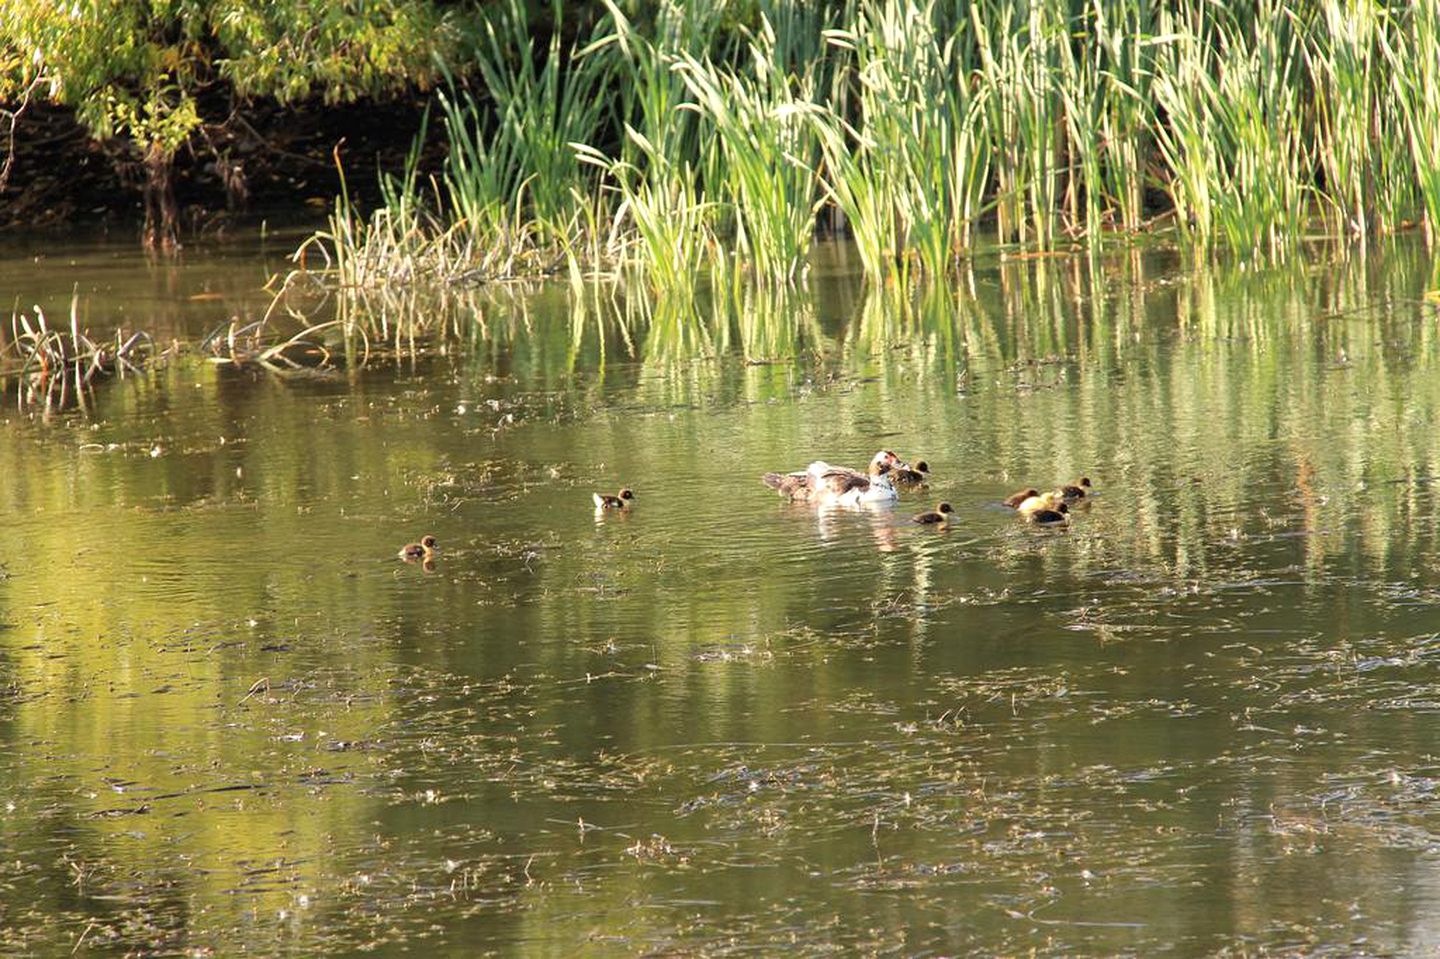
x,y
139,70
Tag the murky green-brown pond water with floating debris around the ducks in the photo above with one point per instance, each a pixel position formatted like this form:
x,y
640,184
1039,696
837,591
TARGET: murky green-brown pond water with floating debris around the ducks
x,y
1202,719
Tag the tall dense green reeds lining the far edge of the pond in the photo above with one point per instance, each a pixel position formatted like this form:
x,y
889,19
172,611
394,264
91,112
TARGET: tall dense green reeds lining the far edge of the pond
x,y
719,140
